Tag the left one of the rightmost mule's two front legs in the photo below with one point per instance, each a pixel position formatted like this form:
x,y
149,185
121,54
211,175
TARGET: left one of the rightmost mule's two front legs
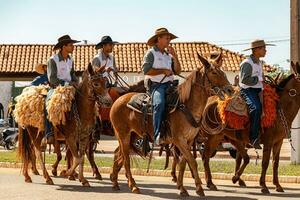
x,y
265,164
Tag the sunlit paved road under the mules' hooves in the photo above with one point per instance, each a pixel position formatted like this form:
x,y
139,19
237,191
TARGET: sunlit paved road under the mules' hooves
x,y
12,186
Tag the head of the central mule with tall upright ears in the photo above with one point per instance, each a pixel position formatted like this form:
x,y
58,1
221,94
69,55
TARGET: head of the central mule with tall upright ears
x,y
215,79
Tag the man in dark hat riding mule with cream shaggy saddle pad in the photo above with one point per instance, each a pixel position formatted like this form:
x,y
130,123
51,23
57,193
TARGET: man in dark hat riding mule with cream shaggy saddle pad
x,y
60,71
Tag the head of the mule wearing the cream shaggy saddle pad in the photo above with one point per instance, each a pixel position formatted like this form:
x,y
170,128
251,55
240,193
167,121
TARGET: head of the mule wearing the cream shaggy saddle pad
x,y
97,85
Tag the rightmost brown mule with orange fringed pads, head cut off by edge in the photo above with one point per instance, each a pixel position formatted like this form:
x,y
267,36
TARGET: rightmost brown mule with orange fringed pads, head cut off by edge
x,y
272,138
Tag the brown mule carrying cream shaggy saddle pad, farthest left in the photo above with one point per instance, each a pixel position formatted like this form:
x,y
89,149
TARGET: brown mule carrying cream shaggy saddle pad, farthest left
x,y
76,131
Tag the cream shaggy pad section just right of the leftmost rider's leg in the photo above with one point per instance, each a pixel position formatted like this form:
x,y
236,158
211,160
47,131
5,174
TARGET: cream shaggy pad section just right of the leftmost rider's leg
x,y
60,104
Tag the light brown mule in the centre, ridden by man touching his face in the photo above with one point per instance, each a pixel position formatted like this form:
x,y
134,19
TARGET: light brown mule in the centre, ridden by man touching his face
x,y
193,94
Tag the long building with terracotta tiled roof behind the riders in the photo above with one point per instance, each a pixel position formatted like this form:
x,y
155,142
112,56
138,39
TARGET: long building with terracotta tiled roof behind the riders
x,y
17,61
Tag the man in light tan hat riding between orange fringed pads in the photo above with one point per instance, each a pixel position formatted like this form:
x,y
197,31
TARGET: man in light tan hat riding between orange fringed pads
x,y
252,88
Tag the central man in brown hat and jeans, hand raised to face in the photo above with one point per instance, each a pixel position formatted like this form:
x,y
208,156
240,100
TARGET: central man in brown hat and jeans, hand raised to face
x,y
160,63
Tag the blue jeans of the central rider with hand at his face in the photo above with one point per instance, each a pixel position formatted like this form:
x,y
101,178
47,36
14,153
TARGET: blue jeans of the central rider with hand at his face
x,y
158,95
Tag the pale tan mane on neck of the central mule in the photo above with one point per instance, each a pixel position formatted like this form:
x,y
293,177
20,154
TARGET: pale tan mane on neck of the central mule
x,y
184,89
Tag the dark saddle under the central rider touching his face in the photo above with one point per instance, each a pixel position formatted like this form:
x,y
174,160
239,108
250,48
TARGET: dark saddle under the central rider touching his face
x,y
141,101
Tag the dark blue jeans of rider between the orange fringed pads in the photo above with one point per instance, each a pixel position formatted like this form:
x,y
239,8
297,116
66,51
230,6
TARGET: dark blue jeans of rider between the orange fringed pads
x,y
251,96
